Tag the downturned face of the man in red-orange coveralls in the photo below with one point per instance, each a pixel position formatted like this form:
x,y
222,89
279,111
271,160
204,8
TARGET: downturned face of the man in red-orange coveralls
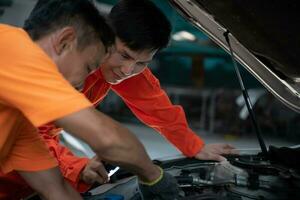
x,y
124,63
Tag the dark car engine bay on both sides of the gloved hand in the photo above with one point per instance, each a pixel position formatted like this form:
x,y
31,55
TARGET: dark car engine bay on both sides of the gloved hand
x,y
242,177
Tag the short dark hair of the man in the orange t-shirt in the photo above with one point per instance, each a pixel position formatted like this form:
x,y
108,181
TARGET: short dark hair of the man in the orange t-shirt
x,y
50,15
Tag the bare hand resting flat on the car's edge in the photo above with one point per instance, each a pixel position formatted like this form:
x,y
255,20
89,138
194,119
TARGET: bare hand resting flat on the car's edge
x,y
215,152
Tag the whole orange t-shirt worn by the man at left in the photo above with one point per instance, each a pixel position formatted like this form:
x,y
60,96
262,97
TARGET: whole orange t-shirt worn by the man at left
x,y
32,93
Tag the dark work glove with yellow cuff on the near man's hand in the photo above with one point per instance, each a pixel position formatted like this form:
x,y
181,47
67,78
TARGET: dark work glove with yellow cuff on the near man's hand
x,y
163,188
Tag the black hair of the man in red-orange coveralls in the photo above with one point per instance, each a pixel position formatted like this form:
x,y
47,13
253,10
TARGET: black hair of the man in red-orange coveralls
x,y
140,25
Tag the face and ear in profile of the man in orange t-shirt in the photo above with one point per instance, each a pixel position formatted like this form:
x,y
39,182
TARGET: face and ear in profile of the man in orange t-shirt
x,y
75,64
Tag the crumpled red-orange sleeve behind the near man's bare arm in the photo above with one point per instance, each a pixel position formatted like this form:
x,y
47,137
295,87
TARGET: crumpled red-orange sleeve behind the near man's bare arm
x,y
70,165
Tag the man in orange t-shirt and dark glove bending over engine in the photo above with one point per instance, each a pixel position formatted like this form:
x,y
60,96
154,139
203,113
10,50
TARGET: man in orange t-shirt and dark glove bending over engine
x,y
70,38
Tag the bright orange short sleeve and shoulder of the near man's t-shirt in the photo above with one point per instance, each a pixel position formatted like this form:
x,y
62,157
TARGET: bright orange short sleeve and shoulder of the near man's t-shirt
x,y
31,82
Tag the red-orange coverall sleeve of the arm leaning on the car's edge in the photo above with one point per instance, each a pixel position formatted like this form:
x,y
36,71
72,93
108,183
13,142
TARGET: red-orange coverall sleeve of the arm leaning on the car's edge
x,y
152,106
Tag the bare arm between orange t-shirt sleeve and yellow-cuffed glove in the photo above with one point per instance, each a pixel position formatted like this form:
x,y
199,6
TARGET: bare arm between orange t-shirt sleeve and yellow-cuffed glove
x,y
111,142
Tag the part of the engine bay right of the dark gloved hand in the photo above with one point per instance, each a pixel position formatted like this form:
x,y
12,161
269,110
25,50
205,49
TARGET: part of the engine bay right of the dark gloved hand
x,y
244,177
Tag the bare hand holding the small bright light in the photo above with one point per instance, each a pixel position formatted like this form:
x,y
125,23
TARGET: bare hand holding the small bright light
x,y
94,171
